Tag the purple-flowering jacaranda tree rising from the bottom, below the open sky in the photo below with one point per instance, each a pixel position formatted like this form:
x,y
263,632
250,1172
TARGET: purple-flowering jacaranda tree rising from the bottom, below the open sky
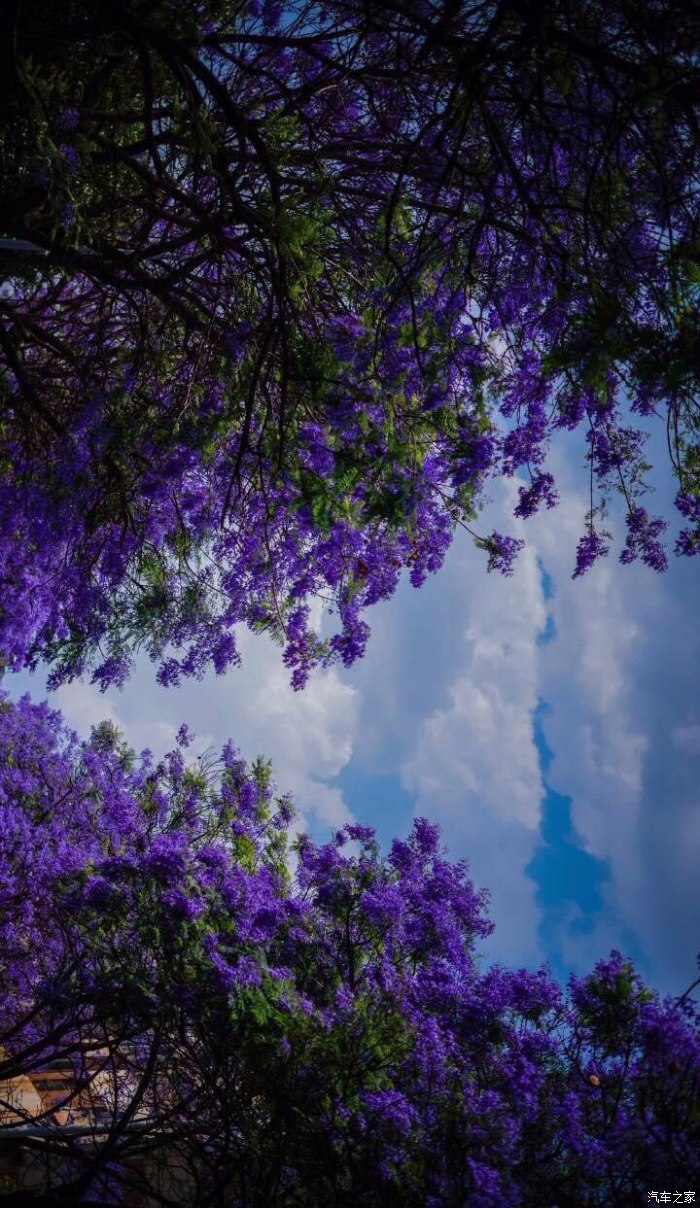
x,y
232,1035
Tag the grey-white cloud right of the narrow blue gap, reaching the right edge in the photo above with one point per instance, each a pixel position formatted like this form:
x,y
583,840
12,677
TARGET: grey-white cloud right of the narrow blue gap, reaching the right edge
x,y
616,679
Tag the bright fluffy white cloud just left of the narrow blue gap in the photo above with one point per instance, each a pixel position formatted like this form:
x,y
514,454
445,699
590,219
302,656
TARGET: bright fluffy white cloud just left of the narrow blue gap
x,y
476,766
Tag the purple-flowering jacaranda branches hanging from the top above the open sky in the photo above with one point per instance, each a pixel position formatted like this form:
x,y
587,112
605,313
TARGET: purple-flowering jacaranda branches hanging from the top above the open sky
x,y
286,284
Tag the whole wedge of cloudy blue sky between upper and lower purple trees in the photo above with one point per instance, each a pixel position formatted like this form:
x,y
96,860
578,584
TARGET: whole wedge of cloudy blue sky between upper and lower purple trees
x,y
551,728
